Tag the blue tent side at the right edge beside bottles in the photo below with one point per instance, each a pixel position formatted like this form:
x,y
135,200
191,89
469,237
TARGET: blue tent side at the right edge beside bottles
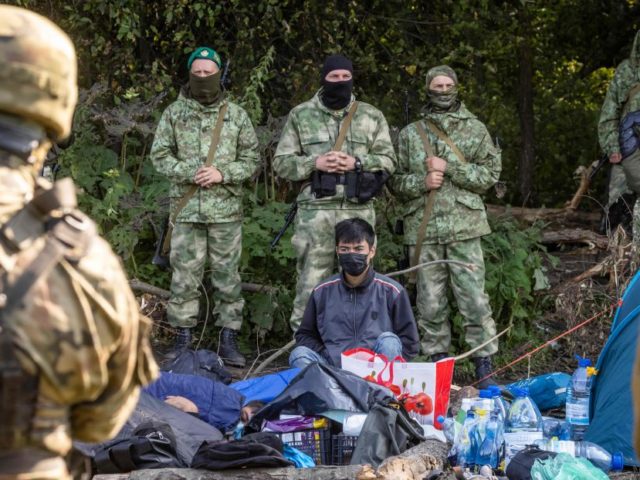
x,y
611,411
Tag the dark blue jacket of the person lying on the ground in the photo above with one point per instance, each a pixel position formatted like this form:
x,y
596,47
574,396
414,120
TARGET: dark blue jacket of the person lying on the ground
x,y
218,404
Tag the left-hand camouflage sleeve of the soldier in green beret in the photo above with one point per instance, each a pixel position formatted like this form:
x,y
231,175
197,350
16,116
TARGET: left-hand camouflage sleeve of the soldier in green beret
x,y
164,153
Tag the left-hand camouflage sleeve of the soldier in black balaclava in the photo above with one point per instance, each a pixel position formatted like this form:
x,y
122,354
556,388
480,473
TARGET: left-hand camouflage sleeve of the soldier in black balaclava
x,y
290,162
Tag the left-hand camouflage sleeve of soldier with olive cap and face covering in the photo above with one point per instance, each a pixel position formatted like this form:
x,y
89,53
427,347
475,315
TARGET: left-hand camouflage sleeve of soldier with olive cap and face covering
x,y
404,183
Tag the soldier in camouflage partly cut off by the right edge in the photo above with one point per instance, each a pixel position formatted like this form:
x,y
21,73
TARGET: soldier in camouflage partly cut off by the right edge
x,y
621,99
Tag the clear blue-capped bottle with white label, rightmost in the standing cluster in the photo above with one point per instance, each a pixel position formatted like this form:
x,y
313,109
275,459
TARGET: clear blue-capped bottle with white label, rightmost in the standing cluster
x,y
523,425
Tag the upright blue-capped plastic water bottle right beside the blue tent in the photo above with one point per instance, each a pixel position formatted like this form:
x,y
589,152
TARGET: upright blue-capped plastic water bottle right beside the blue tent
x,y
578,393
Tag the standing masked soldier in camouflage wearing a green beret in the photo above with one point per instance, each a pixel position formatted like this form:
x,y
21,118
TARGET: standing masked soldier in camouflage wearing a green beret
x,y
209,227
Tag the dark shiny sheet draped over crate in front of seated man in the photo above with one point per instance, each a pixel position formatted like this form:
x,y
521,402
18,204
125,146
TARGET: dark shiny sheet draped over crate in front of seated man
x,y
319,388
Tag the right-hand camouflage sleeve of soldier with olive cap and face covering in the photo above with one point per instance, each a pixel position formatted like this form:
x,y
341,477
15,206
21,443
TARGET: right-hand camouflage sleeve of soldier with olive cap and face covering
x,y
482,170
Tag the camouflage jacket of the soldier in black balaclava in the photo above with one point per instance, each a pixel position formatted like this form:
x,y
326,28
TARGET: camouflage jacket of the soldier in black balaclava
x,y
312,129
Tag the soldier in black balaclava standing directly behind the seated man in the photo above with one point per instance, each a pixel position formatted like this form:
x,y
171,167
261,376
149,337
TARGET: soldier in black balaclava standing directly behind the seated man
x,y
305,147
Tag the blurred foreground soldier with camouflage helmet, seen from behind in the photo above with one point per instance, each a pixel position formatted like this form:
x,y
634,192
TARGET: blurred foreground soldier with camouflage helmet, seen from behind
x,y
74,348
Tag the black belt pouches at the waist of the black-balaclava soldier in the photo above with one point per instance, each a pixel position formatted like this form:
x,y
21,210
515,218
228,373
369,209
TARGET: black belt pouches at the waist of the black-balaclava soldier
x,y
359,186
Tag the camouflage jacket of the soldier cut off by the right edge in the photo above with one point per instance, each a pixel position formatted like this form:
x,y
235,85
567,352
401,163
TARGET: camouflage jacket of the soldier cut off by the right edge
x,y
617,102
